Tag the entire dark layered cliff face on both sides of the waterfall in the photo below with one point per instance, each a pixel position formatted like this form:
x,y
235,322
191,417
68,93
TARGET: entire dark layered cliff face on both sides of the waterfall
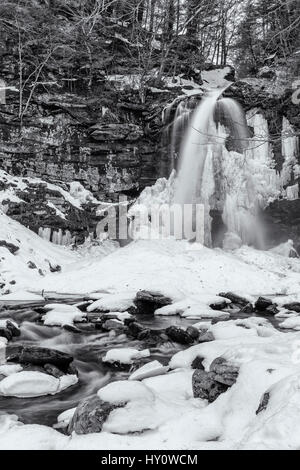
x,y
110,141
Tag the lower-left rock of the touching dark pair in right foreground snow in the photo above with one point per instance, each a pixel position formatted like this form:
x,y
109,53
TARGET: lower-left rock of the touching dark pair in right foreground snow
x,y
206,387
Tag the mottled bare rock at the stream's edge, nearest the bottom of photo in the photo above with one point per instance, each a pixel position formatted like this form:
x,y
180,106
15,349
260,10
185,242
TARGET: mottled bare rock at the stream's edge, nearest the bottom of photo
x,y
90,415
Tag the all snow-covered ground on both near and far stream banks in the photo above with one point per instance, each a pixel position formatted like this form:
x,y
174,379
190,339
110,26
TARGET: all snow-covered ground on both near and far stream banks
x,y
161,409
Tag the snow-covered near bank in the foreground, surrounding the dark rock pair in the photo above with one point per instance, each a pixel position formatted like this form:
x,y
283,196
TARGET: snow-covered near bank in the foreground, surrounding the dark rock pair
x,y
164,414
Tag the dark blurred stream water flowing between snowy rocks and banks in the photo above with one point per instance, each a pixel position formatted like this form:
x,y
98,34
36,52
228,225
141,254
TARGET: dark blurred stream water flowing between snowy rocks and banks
x,y
87,348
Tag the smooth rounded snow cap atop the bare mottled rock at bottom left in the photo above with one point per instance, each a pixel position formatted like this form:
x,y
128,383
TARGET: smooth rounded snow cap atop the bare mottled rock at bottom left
x,y
124,391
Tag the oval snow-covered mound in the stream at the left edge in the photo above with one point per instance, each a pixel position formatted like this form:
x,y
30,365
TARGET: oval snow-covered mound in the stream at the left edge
x,y
27,384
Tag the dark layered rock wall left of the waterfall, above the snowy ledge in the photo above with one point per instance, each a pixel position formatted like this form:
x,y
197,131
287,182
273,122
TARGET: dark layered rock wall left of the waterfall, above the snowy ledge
x,y
109,142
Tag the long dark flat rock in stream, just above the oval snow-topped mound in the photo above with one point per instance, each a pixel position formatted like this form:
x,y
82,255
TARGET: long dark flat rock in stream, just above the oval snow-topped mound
x,y
41,356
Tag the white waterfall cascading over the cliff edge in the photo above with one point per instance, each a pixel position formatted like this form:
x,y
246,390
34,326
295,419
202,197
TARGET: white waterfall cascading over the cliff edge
x,y
215,168
